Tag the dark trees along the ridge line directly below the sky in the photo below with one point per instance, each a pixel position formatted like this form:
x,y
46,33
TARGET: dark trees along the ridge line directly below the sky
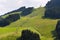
x,y
24,11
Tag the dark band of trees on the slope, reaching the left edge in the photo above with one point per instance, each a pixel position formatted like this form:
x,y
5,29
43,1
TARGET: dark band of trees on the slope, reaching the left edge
x,y
9,19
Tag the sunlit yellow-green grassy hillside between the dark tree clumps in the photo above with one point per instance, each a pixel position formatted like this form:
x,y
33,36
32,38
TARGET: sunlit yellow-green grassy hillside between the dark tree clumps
x,y
33,22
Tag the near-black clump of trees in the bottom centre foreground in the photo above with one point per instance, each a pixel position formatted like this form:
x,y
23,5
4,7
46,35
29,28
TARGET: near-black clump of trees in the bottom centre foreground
x,y
28,35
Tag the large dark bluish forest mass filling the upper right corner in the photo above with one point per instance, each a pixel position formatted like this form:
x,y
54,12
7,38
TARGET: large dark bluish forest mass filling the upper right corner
x,y
52,9
